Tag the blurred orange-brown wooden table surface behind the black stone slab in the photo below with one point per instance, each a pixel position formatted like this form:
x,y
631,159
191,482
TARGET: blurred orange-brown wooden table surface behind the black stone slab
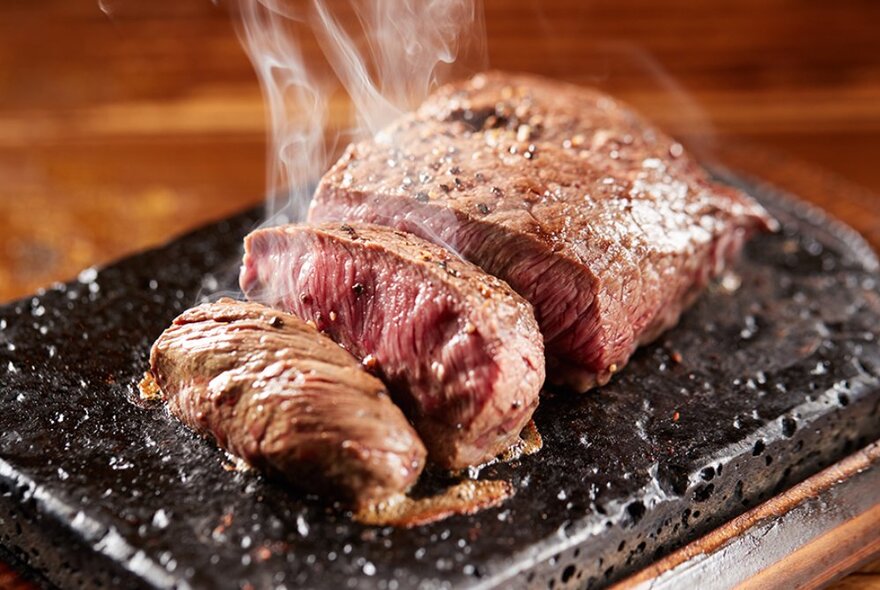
x,y
118,132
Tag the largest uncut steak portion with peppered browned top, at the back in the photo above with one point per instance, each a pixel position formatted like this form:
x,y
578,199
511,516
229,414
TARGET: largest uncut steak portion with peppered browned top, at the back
x,y
597,218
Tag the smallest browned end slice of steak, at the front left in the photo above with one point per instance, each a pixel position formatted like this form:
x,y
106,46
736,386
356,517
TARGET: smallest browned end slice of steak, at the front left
x,y
270,389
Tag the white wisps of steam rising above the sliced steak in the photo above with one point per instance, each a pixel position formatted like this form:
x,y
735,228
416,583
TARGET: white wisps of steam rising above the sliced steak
x,y
387,55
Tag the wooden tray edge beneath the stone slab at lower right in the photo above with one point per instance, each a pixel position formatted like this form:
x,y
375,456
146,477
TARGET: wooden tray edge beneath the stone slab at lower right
x,y
817,553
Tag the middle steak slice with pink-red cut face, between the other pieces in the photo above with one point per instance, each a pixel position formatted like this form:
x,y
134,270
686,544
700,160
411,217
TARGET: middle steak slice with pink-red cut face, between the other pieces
x,y
459,350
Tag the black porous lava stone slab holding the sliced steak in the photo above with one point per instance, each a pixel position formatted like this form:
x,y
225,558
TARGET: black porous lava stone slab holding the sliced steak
x,y
771,376
